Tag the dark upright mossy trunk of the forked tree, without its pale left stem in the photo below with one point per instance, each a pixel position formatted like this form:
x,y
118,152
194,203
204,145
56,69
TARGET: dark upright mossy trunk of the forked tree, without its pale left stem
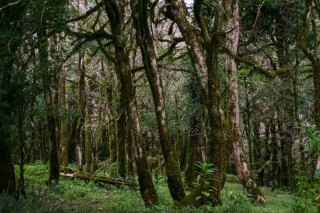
x,y
216,134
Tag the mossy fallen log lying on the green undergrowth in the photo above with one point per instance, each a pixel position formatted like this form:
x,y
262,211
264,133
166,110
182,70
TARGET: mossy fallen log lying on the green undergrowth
x,y
100,179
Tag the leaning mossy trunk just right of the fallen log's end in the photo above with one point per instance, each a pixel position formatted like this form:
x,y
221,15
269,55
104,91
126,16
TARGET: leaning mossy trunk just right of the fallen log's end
x,y
115,12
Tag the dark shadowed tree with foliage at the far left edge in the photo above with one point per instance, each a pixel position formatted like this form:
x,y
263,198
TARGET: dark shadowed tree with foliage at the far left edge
x,y
11,96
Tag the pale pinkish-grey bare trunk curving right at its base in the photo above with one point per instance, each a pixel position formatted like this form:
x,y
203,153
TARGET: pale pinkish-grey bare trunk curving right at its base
x,y
233,104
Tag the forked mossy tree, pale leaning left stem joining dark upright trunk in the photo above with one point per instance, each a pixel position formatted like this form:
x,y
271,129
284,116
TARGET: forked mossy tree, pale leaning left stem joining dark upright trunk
x,y
203,50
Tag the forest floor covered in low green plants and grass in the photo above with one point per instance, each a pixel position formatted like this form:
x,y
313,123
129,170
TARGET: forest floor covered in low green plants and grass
x,y
80,196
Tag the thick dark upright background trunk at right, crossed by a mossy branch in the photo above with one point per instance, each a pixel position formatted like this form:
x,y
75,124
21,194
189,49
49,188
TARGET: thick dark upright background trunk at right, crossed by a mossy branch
x,y
287,113
